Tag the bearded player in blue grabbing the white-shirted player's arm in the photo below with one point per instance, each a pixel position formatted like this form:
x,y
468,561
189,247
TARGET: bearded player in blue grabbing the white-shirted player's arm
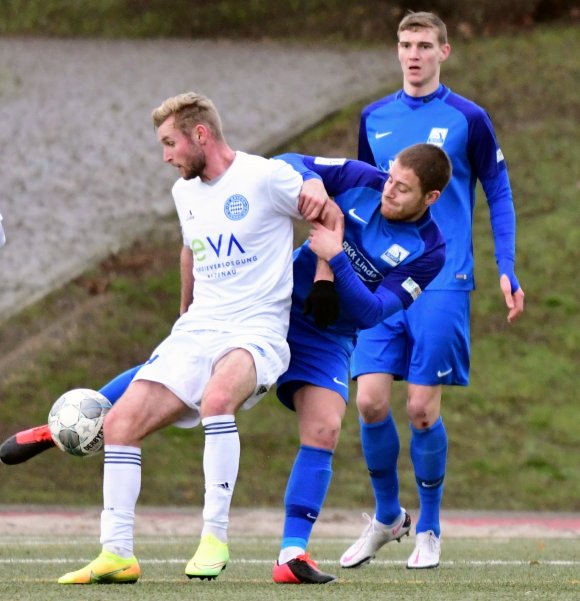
x,y
391,250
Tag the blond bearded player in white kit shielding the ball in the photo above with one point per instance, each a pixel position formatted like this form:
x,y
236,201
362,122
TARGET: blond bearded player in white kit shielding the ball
x,y
229,345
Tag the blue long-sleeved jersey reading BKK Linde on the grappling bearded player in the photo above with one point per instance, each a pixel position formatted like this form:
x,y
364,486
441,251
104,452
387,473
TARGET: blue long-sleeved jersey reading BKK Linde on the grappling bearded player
x,y
384,264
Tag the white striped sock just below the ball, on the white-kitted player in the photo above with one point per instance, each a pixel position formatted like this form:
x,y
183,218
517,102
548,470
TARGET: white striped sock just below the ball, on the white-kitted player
x,y
121,487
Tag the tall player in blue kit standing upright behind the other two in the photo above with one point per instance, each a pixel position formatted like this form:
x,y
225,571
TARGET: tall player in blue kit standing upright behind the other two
x,y
428,345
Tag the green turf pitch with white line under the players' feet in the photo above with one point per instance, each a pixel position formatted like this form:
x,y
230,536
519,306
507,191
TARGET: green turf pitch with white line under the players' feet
x,y
530,569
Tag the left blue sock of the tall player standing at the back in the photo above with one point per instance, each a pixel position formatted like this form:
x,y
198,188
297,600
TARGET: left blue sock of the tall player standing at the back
x,y
380,446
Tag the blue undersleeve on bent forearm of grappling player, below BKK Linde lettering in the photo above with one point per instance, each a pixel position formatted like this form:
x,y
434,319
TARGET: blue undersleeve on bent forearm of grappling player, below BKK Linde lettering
x,y
370,308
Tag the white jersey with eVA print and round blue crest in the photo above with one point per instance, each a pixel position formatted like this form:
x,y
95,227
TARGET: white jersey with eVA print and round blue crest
x,y
240,230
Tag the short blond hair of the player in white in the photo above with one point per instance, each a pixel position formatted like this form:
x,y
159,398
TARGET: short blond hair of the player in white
x,y
189,109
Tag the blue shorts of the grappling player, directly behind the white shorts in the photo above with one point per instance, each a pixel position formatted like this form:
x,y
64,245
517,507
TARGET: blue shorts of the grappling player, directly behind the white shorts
x,y
317,357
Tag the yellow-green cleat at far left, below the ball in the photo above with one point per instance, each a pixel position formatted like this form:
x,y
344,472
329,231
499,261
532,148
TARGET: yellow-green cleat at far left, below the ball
x,y
108,568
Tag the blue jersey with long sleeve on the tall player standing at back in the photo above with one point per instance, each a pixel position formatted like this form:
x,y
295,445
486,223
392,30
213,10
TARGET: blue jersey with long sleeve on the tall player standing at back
x,y
465,132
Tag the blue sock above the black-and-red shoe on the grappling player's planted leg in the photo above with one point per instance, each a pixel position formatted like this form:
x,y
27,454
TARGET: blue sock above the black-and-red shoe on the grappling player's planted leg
x,y
305,494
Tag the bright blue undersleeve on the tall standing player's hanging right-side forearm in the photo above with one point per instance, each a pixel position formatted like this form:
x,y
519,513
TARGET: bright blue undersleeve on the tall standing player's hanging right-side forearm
x,y
503,223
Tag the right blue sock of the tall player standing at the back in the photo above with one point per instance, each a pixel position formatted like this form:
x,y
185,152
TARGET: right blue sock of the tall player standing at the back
x,y
429,456
